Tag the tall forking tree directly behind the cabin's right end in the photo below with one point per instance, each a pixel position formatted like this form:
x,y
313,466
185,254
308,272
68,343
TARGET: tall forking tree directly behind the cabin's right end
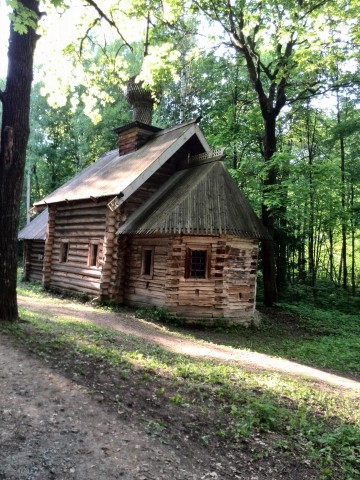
x,y
283,56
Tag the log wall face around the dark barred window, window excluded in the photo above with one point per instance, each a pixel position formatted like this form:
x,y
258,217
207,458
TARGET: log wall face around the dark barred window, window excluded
x,y
230,289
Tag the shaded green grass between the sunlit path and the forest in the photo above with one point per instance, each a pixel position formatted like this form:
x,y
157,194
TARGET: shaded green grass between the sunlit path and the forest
x,y
308,334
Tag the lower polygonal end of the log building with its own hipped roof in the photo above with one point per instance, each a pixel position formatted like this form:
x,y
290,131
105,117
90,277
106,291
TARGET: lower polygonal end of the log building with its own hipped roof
x,y
193,246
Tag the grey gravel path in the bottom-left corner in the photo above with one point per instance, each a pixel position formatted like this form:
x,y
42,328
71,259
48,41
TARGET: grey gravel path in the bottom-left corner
x,y
51,429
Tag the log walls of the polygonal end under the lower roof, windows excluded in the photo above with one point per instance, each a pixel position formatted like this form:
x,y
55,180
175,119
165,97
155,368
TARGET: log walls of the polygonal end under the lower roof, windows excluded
x,y
228,292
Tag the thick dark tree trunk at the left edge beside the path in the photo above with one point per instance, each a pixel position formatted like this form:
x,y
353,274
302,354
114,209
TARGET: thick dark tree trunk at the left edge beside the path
x,y
14,137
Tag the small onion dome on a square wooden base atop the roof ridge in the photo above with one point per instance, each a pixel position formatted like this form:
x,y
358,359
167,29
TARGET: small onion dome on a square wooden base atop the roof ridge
x,y
133,135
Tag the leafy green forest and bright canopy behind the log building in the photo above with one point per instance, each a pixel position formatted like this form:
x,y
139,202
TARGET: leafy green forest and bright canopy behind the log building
x,y
276,83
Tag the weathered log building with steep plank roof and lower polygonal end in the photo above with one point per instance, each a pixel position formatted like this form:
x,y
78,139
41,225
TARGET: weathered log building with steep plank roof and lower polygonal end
x,y
158,221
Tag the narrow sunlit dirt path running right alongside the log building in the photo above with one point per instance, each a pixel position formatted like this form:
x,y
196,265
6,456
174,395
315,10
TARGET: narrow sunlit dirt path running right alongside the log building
x,y
156,334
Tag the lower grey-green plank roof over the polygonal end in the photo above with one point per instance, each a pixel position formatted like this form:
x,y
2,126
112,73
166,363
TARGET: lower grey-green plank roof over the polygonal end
x,y
198,200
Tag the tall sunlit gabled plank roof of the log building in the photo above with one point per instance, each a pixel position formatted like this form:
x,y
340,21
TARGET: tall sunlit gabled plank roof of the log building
x,y
113,175
